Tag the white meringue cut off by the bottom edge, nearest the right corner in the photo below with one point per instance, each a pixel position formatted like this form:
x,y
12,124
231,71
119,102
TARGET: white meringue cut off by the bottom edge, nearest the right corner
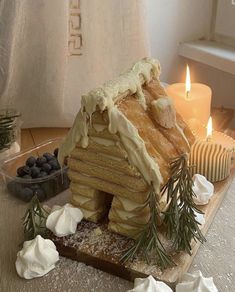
x,y
196,283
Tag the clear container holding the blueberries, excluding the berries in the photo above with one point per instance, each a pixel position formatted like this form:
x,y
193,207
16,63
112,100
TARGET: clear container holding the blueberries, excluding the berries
x,y
44,187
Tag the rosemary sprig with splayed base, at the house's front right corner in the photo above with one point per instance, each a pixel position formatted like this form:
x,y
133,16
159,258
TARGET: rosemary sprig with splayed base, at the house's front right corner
x,y
148,242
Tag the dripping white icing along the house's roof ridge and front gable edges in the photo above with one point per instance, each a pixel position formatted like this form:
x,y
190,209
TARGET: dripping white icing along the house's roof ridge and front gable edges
x,y
103,98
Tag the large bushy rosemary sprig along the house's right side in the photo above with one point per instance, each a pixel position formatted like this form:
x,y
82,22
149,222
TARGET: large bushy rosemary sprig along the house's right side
x,y
180,218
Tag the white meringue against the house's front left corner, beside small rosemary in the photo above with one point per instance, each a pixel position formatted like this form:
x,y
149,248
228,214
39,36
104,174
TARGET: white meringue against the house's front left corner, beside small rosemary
x,y
63,220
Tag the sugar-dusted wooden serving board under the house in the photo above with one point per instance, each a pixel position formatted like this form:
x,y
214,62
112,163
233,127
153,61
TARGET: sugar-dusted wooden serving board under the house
x,y
95,245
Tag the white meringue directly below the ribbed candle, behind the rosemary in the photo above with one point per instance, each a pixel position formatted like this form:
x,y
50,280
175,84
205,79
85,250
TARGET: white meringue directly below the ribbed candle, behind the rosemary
x,y
203,189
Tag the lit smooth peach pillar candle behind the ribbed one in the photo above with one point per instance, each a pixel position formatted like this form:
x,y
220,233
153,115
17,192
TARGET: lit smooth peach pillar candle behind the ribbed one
x,y
192,101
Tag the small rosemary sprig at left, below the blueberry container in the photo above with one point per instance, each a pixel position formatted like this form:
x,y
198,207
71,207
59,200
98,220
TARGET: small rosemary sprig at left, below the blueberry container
x,y
34,220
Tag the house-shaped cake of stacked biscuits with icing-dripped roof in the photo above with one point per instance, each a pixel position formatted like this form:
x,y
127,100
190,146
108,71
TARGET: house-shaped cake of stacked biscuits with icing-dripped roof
x,y
120,146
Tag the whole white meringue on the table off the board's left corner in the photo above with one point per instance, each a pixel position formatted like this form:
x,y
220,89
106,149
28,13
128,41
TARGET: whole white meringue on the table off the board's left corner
x,y
37,258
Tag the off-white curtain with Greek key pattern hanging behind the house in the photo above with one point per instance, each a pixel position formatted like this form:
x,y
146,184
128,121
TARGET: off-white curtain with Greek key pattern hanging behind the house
x,y
53,51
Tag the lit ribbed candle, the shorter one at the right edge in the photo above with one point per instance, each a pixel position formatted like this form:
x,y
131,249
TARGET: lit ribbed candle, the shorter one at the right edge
x,y
211,156
